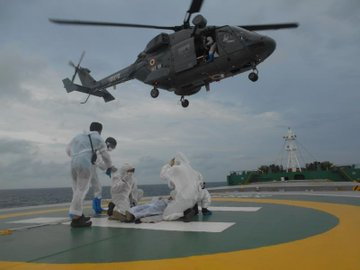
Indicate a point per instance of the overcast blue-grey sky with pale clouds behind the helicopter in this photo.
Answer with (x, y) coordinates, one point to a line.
(311, 83)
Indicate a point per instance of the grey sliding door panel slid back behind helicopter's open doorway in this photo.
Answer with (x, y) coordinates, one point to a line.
(184, 55)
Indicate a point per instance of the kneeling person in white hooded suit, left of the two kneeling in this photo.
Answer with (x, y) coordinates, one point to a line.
(124, 192)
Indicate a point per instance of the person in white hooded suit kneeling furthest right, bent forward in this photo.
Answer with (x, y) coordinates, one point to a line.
(184, 181)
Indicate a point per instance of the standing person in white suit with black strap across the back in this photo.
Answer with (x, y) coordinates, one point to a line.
(82, 151)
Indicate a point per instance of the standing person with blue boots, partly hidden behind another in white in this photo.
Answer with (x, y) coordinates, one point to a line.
(95, 182)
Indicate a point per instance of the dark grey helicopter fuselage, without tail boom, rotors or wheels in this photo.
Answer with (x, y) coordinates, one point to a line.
(178, 62)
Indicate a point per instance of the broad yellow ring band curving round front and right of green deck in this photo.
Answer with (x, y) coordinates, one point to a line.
(335, 249)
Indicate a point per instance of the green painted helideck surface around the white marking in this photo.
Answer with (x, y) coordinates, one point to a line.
(273, 224)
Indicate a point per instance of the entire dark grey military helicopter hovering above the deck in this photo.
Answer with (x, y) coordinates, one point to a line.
(181, 62)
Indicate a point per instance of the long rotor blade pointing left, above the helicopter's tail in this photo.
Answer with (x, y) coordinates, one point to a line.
(94, 23)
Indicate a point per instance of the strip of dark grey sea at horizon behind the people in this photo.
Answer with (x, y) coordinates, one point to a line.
(11, 198)
